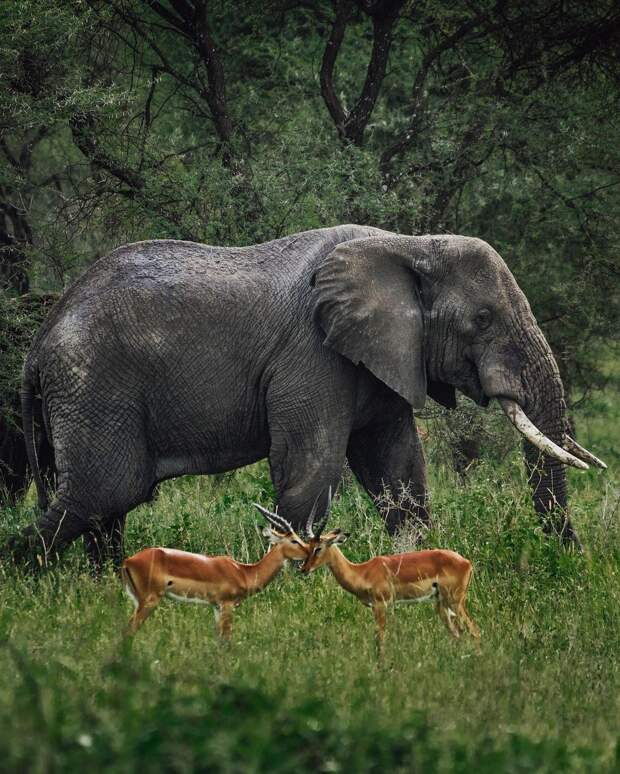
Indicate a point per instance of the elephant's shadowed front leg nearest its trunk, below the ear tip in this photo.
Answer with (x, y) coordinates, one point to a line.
(387, 459)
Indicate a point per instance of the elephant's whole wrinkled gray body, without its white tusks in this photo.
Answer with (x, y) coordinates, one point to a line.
(168, 358)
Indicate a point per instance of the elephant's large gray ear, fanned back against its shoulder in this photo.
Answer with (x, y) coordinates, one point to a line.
(368, 305)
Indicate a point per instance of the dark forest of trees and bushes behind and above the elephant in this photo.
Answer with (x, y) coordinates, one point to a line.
(238, 122)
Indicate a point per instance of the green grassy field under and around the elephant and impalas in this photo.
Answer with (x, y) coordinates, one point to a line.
(300, 689)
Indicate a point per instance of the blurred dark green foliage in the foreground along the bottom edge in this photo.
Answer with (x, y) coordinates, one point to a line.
(242, 728)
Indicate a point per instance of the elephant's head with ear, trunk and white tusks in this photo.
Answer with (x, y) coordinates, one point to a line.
(433, 313)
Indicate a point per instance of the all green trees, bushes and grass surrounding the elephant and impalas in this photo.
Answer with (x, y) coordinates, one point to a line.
(235, 123)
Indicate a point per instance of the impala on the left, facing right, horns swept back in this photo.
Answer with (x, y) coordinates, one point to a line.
(221, 581)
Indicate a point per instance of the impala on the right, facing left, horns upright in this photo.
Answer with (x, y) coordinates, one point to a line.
(417, 576)
